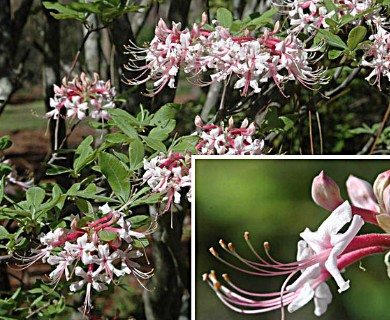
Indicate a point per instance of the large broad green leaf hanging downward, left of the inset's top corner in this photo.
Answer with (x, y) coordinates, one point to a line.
(117, 174)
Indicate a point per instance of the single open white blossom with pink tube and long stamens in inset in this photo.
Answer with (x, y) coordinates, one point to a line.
(322, 254)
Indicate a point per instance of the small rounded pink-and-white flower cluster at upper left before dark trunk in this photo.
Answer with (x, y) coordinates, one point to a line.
(81, 97)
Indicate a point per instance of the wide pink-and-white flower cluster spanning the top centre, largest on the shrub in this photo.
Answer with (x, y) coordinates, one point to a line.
(197, 51)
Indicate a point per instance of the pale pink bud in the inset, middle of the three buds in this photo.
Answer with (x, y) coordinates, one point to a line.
(361, 194)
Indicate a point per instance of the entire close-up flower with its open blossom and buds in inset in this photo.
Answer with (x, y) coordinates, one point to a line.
(321, 254)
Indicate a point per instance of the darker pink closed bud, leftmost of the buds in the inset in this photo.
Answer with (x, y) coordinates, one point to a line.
(325, 192)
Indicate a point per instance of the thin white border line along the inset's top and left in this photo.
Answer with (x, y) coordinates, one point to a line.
(261, 157)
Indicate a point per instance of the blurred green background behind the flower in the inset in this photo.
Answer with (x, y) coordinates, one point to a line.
(272, 200)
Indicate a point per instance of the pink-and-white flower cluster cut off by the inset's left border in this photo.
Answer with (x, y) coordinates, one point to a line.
(167, 175)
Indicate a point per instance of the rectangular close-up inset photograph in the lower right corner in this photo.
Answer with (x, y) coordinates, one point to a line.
(291, 239)
